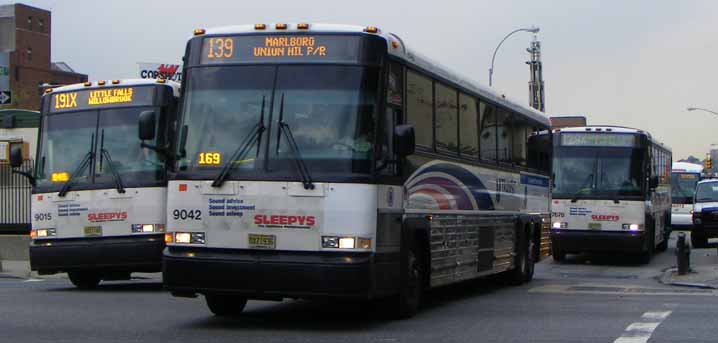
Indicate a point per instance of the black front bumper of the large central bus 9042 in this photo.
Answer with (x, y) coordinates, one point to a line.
(269, 275)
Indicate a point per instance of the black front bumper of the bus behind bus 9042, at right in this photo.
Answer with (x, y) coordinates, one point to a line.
(575, 241)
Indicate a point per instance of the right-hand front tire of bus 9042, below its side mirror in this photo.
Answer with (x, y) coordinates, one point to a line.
(412, 283)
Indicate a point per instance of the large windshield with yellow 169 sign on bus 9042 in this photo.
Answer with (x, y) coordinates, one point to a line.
(328, 111)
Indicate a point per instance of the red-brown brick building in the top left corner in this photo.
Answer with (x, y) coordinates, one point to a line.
(25, 36)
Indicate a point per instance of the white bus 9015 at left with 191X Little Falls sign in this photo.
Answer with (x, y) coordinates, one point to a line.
(99, 185)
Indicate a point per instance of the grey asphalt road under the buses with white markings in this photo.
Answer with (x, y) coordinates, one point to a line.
(585, 299)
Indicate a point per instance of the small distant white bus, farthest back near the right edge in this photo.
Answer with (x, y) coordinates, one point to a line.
(684, 178)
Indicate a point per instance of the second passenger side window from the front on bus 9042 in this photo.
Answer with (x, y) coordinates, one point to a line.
(447, 130)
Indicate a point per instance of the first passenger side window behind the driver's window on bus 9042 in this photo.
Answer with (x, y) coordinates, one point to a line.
(420, 107)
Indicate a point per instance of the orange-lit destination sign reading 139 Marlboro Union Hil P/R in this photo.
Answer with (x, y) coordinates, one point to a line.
(275, 48)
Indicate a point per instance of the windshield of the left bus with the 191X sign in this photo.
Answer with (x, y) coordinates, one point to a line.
(111, 134)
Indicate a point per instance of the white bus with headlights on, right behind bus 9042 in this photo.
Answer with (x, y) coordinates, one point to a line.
(611, 191)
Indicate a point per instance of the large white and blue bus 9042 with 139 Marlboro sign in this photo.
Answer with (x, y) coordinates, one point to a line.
(333, 161)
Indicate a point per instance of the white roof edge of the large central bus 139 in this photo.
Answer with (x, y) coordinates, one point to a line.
(398, 49)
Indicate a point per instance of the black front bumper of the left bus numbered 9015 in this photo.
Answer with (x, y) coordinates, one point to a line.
(112, 254)
